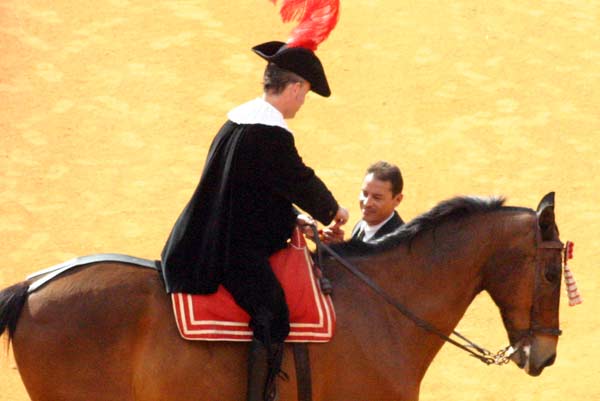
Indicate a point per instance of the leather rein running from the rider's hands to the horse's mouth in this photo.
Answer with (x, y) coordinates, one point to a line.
(484, 355)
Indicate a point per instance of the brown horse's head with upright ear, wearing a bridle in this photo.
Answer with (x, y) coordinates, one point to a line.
(527, 289)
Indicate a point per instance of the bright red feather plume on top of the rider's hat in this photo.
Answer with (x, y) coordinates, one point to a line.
(317, 19)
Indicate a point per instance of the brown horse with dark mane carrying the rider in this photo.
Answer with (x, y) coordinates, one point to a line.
(106, 331)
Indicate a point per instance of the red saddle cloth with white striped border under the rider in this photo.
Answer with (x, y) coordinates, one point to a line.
(216, 317)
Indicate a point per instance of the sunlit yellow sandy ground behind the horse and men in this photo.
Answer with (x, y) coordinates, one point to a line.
(107, 108)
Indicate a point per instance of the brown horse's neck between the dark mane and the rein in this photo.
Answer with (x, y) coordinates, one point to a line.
(440, 272)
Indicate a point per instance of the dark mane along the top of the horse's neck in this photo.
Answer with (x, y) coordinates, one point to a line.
(445, 211)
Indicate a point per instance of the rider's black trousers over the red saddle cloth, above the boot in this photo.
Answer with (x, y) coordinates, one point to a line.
(256, 289)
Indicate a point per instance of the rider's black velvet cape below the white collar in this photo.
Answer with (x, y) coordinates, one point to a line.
(241, 211)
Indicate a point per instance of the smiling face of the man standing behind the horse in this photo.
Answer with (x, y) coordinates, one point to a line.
(377, 202)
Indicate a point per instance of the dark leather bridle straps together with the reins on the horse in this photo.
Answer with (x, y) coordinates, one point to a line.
(499, 358)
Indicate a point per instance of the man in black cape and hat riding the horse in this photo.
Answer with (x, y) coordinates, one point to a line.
(242, 210)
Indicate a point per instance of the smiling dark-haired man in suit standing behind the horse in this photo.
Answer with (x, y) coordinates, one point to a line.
(380, 195)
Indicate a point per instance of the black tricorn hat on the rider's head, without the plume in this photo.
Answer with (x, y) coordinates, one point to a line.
(298, 60)
